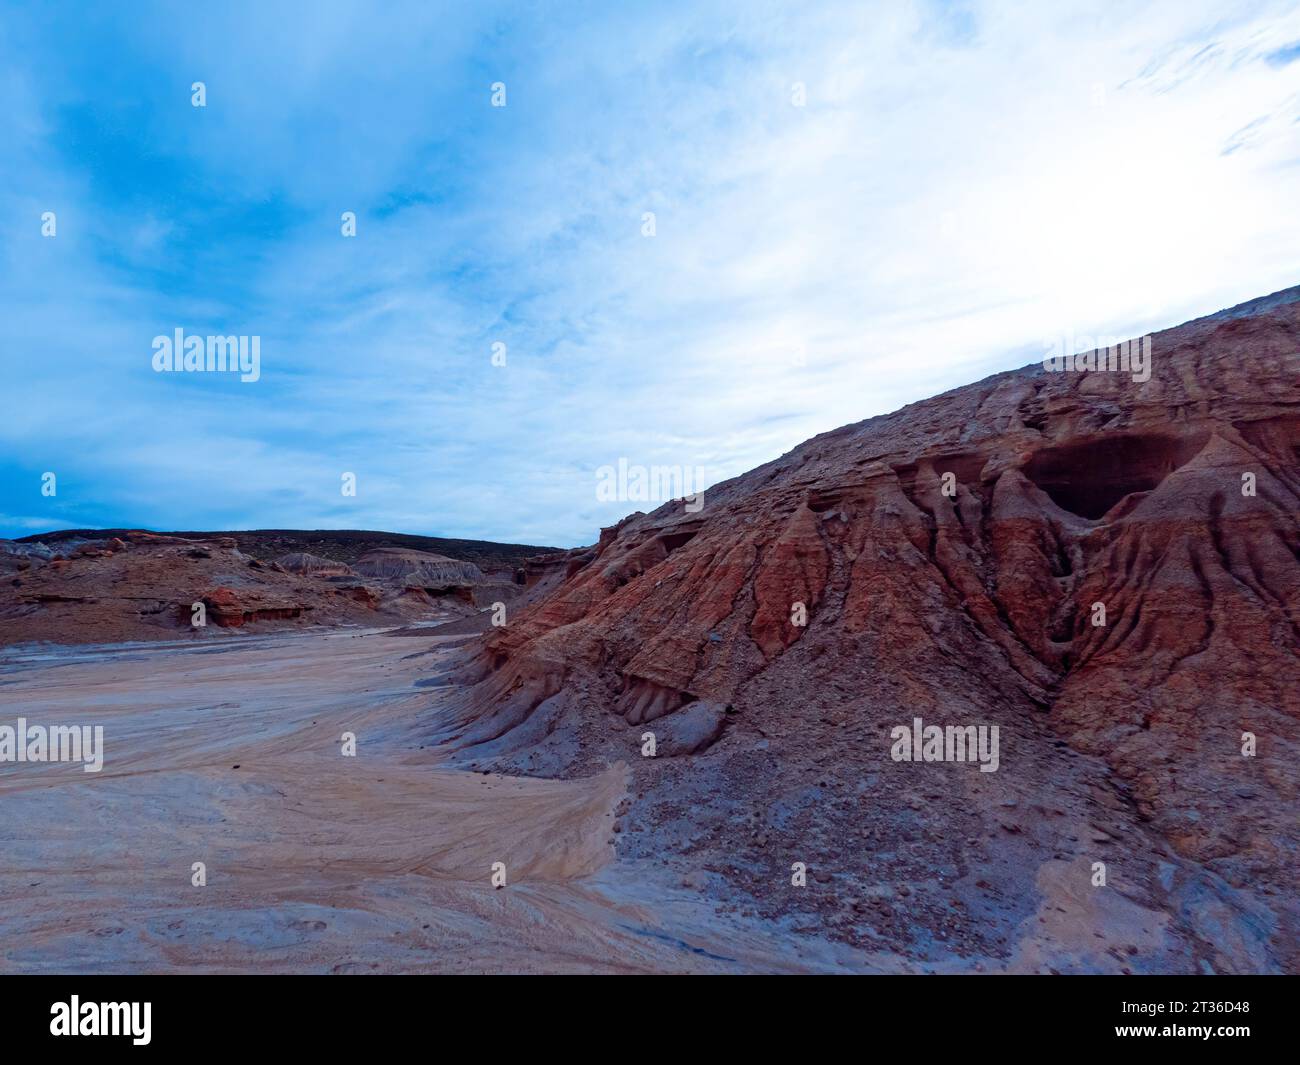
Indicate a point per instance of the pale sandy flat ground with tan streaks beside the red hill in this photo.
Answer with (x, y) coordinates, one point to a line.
(231, 756)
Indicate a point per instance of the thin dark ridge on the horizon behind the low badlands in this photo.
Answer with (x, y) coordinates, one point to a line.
(341, 546)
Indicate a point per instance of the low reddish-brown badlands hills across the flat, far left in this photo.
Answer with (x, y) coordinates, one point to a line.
(114, 586)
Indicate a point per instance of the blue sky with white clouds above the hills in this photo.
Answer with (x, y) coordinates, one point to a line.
(704, 233)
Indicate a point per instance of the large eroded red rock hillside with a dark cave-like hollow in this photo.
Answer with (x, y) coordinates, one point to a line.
(1103, 568)
